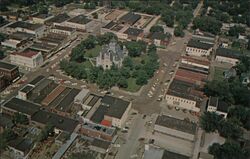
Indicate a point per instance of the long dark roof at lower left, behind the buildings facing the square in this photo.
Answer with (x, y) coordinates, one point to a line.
(60, 122)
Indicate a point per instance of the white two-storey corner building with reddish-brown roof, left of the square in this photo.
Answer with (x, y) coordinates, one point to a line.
(28, 59)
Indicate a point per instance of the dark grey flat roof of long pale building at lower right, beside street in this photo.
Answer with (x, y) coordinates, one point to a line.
(176, 124)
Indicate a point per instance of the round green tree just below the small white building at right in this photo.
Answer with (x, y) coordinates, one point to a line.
(210, 121)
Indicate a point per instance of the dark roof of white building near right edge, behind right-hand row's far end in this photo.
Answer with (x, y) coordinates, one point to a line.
(228, 53)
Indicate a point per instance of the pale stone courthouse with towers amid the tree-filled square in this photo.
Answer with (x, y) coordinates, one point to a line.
(111, 54)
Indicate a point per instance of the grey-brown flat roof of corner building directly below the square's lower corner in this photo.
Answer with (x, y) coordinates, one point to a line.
(116, 106)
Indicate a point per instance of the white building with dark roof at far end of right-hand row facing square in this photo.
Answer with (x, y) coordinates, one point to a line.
(196, 48)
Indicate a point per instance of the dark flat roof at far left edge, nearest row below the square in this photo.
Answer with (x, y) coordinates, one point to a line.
(22, 106)
